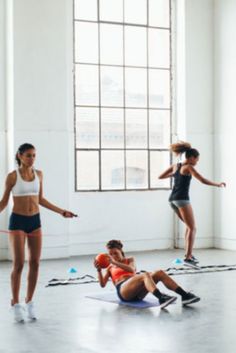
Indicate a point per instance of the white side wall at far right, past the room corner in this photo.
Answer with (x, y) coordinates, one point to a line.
(225, 122)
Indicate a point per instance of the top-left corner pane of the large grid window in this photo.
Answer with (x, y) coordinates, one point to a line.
(86, 9)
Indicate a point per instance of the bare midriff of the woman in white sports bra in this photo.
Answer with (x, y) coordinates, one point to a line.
(26, 205)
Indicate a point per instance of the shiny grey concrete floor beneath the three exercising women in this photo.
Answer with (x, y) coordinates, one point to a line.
(69, 323)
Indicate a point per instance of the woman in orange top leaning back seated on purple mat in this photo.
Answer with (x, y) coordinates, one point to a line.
(132, 286)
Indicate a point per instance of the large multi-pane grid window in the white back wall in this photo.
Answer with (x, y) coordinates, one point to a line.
(122, 52)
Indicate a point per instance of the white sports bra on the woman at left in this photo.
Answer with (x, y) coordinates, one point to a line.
(26, 188)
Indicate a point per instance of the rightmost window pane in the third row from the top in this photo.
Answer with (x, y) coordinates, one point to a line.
(159, 88)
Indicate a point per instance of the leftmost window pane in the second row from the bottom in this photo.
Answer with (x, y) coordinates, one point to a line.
(87, 128)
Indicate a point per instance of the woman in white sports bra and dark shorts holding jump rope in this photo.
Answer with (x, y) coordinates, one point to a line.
(26, 185)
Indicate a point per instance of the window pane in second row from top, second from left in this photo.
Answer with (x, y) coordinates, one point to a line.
(111, 44)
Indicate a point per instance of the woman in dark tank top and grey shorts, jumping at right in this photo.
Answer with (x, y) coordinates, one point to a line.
(179, 197)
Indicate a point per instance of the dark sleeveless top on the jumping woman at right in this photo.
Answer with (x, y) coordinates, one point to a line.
(181, 186)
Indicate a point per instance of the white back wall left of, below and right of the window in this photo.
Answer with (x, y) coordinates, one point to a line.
(43, 115)
